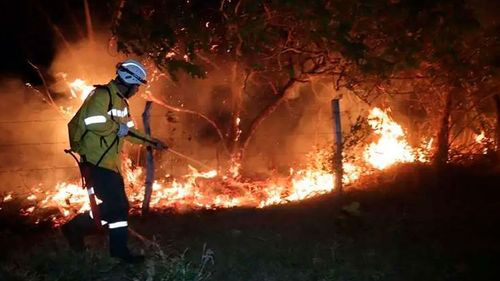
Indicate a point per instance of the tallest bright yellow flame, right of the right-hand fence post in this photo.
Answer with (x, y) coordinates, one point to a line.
(391, 147)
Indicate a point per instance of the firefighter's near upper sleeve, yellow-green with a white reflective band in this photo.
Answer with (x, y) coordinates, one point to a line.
(97, 119)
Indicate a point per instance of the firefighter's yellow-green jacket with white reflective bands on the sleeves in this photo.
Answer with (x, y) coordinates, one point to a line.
(102, 127)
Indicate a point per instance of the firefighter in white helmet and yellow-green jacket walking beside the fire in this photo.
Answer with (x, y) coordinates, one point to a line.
(105, 117)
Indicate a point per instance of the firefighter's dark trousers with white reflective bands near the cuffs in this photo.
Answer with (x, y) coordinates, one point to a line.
(109, 188)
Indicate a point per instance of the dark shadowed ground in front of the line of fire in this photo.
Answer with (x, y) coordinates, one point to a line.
(411, 223)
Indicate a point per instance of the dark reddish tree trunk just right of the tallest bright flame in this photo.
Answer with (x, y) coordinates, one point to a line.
(441, 156)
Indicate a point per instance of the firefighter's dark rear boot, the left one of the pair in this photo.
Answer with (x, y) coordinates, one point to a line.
(76, 229)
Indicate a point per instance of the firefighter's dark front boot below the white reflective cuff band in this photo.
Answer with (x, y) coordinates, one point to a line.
(118, 246)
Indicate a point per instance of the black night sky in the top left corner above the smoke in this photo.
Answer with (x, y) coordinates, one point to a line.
(28, 33)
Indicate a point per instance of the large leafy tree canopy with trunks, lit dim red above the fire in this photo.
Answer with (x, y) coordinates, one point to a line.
(276, 45)
